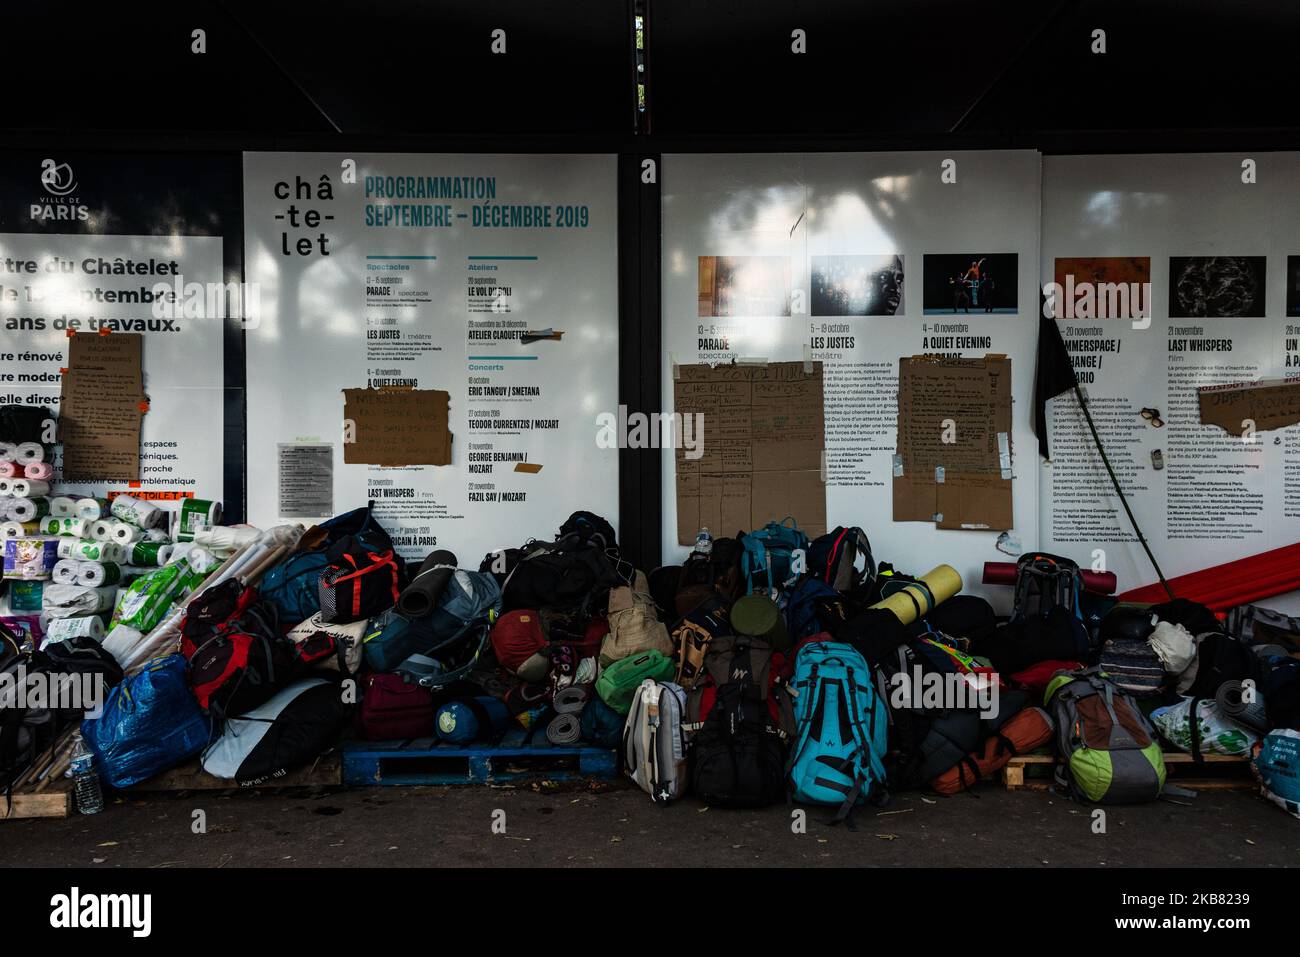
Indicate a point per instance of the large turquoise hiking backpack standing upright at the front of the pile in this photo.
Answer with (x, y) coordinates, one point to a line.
(840, 730)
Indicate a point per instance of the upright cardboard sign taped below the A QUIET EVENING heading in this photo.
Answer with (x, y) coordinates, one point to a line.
(954, 462)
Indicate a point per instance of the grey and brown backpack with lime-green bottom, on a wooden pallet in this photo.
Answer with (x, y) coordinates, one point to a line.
(1108, 747)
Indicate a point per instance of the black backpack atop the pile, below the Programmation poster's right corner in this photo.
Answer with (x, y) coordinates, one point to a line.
(571, 573)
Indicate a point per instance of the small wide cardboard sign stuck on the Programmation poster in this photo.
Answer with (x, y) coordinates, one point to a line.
(397, 427)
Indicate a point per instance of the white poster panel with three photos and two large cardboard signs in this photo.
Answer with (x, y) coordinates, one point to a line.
(864, 258)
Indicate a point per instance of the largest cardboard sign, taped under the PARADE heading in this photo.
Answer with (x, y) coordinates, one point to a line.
(760, 454)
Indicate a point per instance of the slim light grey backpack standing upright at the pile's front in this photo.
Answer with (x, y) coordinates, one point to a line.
(655, 742)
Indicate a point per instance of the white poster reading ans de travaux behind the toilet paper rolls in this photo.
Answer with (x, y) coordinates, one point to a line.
(161, 287)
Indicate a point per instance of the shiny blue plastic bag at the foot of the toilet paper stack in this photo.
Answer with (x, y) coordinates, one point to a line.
(150, 724)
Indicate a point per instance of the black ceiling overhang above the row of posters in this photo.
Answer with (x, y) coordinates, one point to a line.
(908, 71)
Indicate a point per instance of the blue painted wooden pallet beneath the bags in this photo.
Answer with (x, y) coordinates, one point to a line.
(430, 761)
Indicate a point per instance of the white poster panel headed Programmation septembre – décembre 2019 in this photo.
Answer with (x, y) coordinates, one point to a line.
(430, 272)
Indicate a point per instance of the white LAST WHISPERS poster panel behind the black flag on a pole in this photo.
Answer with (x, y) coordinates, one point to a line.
(1216, 240)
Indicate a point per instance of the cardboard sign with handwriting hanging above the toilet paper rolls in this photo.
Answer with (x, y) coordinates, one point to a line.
(102, 406)
